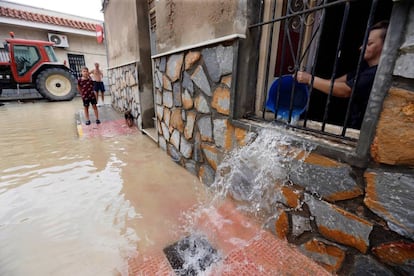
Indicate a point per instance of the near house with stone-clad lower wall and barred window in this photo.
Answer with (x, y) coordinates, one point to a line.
(197, 78)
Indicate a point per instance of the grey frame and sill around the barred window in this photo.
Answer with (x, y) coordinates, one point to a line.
(355, 153)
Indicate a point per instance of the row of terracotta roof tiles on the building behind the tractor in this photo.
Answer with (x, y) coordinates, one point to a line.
(41, 18)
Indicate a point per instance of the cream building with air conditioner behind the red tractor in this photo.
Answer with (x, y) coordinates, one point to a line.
(76, 40)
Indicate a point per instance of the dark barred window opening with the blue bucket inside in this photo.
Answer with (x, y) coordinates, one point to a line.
(321, 37)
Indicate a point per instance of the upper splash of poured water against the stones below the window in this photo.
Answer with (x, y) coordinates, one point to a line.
(253, 174)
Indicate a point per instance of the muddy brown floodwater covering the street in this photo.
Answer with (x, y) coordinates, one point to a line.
(71, 206)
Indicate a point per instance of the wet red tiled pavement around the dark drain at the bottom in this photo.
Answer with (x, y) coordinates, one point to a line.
(261, 254)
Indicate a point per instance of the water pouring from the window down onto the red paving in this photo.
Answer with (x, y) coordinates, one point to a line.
(252, 176)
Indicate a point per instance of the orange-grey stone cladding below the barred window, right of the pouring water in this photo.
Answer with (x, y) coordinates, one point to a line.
(349, 220)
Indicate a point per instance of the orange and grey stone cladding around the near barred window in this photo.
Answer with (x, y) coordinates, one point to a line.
(349, 220)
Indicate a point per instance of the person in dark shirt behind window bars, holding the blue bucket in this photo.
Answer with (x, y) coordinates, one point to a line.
(343, 85)
